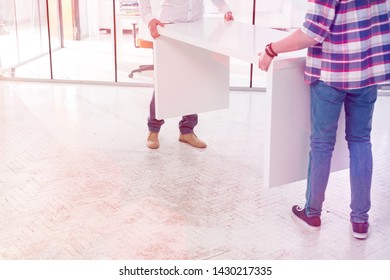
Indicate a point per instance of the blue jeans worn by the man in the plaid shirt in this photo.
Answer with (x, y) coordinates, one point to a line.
(326, 104)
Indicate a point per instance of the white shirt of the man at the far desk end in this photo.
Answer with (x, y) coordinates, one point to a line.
(176, 11)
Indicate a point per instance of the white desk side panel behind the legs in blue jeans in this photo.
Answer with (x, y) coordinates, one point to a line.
(287, 135)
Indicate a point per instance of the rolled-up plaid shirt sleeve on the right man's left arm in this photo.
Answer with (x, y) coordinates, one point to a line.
(319, 17)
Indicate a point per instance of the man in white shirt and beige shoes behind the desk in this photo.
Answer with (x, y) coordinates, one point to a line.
(176, 11)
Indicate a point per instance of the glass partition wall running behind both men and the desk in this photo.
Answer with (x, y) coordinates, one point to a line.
(94, 40)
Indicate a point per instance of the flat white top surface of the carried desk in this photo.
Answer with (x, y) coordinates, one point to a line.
(220, 36)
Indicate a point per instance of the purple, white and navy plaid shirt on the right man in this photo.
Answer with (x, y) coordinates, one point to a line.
(354, 42)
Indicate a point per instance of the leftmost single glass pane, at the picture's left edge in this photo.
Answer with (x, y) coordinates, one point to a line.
(24, 39)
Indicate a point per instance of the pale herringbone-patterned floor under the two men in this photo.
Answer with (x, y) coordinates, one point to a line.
(77, 182)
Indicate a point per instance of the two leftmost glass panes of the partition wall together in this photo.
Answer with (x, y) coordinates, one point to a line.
(57, 39)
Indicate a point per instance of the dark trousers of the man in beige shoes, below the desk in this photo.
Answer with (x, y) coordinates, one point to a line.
(186, 125)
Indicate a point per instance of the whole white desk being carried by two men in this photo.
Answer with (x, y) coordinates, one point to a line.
(192, 76)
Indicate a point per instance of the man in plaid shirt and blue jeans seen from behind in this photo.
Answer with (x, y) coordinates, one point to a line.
(348, 56)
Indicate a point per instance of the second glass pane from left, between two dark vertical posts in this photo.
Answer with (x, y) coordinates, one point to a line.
(87, 43)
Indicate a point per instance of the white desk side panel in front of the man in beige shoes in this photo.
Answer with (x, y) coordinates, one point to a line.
(189, 79)
